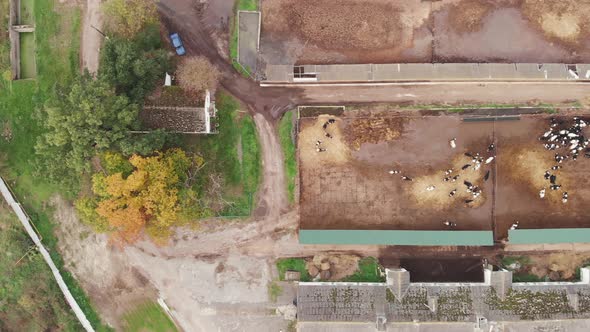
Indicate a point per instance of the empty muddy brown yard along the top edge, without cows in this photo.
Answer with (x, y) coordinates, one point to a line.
(382, 31)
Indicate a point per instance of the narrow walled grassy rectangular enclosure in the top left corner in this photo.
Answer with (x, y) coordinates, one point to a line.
(22, 42)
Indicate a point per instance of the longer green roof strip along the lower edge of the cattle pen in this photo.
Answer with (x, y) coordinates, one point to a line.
(397, 237)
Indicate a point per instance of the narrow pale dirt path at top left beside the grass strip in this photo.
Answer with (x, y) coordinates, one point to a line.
(91, 39)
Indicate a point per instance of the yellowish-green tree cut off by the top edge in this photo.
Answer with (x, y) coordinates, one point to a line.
(127, 17)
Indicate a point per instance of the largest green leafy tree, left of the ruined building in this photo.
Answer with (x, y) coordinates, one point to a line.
(86, 120)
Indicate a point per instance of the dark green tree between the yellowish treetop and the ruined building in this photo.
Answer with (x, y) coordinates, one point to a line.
(134, 66)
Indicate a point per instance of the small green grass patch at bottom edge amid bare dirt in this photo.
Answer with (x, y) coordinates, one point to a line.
(148, 317)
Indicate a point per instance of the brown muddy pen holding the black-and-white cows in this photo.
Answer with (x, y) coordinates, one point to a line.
(359, 176)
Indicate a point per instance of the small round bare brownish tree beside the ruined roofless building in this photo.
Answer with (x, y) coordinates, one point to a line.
(196, 74)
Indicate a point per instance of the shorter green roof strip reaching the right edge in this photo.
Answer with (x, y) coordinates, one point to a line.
(549, 236)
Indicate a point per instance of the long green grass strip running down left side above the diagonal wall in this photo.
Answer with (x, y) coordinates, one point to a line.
(57, 41)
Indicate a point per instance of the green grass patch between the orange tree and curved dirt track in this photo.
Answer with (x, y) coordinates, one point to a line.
(220, 151)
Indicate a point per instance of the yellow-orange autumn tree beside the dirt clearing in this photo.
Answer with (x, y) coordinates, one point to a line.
(148, 198)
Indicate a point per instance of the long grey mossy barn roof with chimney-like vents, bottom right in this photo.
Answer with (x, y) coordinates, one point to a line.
(399, 300)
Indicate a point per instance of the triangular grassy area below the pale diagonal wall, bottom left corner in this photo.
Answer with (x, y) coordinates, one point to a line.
(26, 305)
